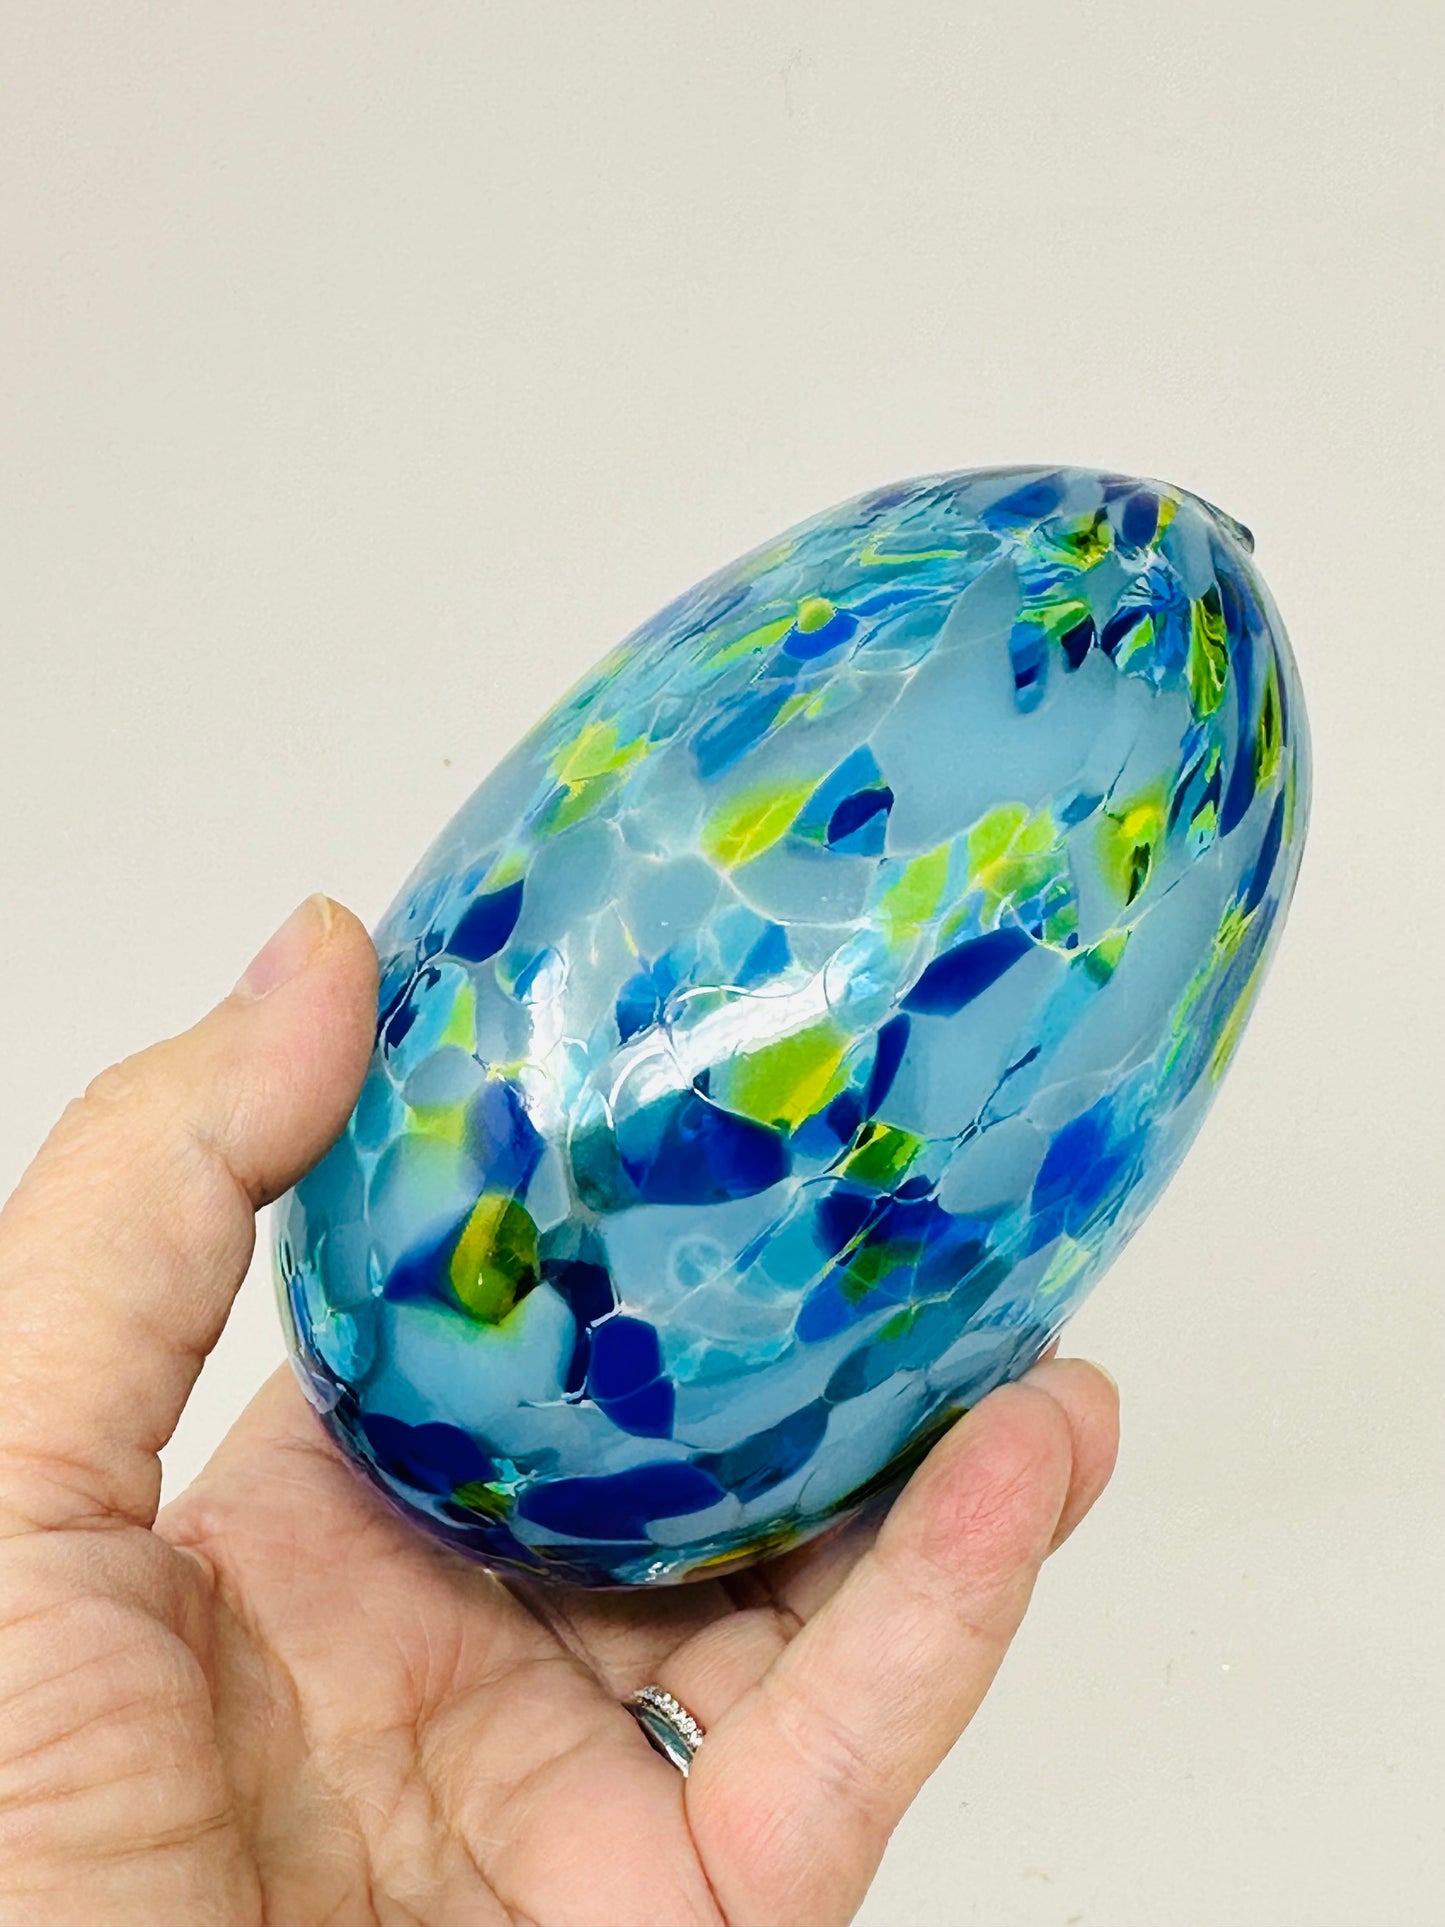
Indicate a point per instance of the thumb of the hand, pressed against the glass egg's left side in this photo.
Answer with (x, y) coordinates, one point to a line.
(128, 1238)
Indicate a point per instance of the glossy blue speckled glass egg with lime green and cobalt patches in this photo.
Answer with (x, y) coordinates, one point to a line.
(779, 1043)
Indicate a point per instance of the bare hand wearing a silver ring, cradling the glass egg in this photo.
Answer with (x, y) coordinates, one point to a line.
(276, 1703)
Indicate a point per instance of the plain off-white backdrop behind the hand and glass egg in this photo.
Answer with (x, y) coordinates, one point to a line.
(369, 369)
